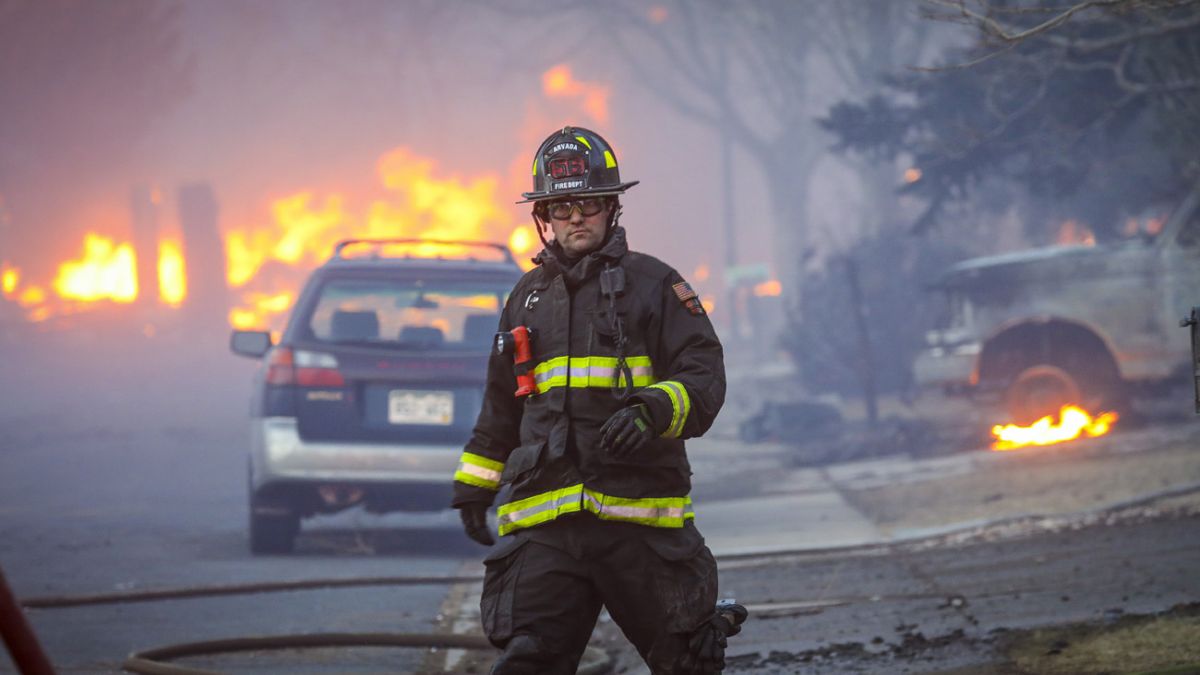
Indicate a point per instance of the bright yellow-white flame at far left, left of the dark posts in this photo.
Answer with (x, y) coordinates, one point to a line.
(106, 272)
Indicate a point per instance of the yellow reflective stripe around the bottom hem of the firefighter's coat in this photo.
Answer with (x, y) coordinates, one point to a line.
(655, 512)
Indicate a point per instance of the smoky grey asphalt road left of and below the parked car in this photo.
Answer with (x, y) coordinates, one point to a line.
(122, 475)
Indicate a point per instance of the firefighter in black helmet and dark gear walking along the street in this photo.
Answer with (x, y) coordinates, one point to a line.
(591, 465)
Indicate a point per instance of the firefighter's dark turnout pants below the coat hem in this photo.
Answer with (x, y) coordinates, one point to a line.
(545, 587)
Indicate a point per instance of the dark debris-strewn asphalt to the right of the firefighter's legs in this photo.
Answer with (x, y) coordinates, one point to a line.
(929, 608)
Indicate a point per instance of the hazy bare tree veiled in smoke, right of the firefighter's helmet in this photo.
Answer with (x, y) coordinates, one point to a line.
(760, 74)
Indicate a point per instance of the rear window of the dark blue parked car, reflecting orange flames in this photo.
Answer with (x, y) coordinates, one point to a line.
(409, 315)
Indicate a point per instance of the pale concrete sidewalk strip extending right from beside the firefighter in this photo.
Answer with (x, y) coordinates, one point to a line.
(758, 504)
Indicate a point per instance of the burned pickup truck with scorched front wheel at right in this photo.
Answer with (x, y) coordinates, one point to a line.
(1090, 326)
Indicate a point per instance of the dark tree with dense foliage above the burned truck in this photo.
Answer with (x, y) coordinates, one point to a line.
(1091, 111)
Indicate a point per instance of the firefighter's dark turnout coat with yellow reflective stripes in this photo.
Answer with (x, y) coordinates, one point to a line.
(547, 446)
